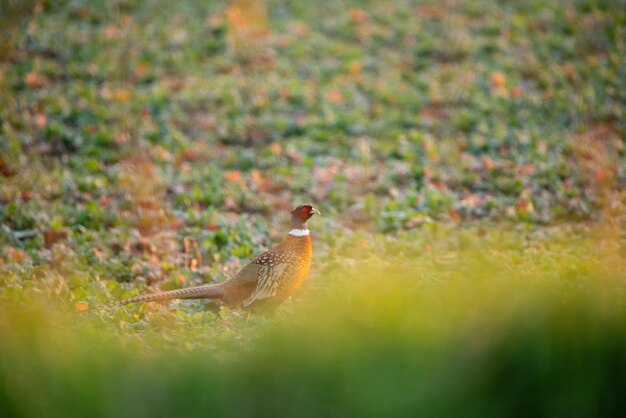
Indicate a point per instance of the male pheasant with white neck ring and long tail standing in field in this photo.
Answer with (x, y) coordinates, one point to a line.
(270, 278)
